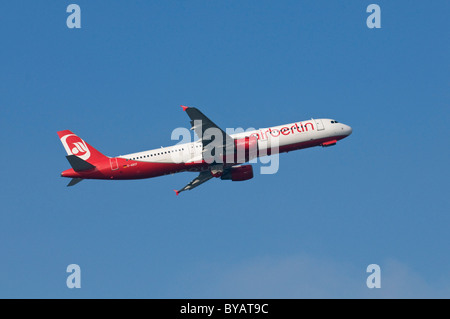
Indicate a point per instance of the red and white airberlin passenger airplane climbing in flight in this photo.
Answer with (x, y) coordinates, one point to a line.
(215, 153)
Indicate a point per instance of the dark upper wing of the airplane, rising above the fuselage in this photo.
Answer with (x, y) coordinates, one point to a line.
(205, 129)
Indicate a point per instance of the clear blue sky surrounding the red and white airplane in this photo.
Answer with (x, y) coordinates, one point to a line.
(380, 196)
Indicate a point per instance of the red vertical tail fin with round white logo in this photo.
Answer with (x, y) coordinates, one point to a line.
(76, 146)
